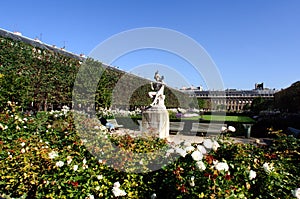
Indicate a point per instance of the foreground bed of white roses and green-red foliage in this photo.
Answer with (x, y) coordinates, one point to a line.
(46, 156)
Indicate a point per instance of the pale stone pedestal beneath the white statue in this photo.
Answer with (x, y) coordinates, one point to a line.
(156, 120)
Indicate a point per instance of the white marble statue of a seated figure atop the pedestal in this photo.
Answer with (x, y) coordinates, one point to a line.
(158, 94)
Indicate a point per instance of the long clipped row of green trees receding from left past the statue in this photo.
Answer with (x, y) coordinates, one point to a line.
(40, 79)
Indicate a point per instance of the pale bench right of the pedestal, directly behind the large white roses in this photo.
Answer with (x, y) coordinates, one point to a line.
(207, 129)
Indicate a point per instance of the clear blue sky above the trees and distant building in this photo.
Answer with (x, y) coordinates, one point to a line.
(250, 41)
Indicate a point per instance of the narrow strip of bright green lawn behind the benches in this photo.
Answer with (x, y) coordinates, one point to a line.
(242, 119)
